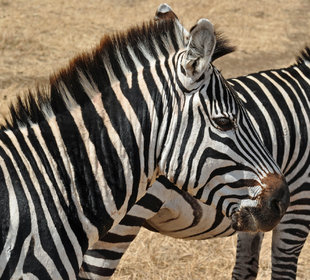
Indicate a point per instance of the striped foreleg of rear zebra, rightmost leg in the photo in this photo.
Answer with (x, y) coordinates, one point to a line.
(287, 242)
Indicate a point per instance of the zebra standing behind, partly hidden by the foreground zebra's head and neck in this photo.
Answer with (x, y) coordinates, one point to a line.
(278, 104)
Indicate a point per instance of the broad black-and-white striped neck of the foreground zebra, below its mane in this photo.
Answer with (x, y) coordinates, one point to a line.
(97, 154)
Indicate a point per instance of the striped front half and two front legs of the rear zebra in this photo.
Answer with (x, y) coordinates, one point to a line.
(282, 118)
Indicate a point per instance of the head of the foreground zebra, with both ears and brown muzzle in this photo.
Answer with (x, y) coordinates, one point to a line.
(215, 154)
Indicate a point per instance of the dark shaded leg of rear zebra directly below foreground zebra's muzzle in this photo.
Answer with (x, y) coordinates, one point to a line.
(248, 248)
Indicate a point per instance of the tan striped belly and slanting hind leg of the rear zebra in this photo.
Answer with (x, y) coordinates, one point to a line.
(173, 212)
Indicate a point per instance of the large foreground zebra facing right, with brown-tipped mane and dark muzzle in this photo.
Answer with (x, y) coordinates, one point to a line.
(80, 152)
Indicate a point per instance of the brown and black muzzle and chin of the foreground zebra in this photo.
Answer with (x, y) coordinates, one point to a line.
(271, 206)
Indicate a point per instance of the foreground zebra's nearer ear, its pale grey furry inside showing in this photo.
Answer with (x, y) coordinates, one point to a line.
(200, 49)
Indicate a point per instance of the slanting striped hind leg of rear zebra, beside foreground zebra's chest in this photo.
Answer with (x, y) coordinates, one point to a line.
(101, 260)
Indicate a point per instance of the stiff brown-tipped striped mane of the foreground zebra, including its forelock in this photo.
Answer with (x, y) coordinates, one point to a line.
(31, 107)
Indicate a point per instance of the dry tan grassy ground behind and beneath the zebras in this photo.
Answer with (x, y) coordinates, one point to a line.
(39, 36)
